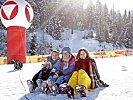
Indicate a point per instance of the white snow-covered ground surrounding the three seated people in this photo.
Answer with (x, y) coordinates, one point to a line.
(117, 72)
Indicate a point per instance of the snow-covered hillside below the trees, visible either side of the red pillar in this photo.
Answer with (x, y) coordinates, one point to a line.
(75, 41)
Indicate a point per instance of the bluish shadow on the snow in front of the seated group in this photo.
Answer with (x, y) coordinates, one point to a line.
(91, 95)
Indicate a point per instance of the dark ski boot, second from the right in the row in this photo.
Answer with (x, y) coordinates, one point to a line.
(67, 89)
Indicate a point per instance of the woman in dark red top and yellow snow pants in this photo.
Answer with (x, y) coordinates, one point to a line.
(82, 77)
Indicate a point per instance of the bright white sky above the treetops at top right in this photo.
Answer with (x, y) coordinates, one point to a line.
(118, 4)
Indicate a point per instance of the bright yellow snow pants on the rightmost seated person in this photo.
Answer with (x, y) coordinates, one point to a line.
(80, 78)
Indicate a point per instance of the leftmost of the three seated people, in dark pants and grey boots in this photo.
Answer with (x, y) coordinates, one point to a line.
(43, 74)
